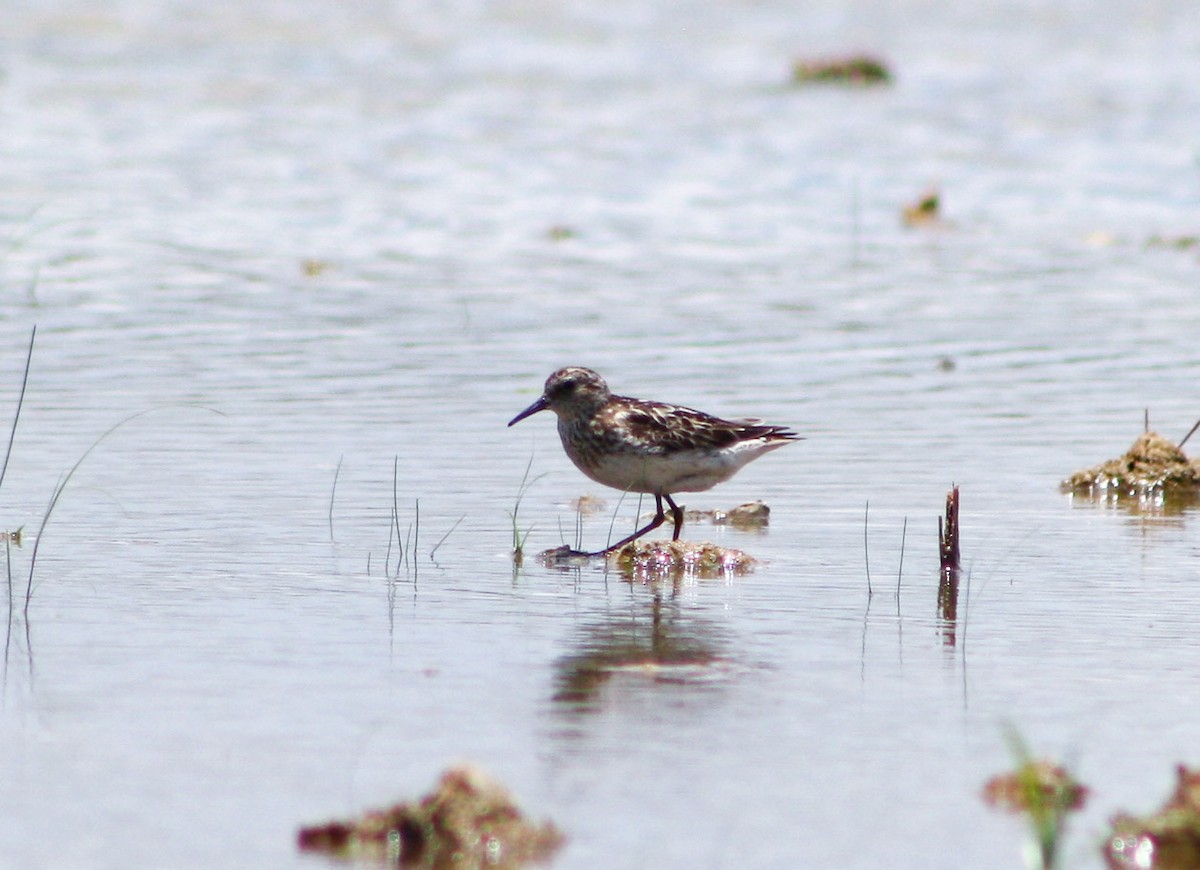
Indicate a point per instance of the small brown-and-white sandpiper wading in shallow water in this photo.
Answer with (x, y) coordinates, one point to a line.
(635, 446)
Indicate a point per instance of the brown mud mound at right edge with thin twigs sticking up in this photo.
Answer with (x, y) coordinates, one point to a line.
(1153, 465)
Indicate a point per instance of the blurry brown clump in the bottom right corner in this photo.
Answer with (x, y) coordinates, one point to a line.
(1166, 841)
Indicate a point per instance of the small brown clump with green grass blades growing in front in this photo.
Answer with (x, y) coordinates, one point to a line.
(1046, 794)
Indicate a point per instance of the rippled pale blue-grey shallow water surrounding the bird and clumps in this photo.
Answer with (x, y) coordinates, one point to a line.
(323, 248)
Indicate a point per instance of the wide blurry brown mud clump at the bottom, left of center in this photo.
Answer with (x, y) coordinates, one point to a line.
(470, 821)
